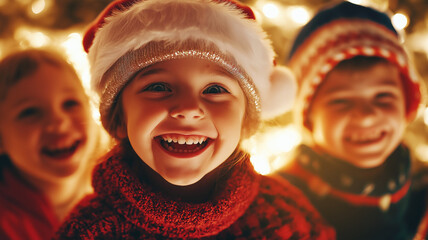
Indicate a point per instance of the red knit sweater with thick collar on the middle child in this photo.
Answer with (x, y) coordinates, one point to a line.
(249, 206)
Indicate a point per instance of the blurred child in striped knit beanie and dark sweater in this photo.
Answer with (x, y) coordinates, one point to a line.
(357, 93)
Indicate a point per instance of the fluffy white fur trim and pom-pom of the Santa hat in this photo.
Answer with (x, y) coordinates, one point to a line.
(176, 21)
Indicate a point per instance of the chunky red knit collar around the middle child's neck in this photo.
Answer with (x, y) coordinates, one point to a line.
(115, 182)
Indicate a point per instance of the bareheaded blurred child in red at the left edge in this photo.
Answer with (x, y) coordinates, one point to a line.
(48, 143)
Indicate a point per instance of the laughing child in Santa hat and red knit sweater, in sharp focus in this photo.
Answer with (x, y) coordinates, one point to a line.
(181, 82)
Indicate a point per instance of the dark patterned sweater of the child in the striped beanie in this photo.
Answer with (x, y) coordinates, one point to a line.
(359, 203)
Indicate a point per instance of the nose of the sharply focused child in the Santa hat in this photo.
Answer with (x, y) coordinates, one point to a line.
(187, 107)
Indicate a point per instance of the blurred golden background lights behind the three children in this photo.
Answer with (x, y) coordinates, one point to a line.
(36, 23)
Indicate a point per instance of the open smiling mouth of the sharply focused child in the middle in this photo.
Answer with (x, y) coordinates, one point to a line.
(182, 144)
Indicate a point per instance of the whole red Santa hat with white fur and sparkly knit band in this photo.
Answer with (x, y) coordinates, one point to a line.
(130, 35)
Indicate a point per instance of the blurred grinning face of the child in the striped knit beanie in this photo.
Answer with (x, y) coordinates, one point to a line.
(359, 116)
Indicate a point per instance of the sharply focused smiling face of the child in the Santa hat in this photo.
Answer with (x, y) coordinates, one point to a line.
(183, 117)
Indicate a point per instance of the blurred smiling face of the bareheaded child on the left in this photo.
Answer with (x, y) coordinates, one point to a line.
(46, 123)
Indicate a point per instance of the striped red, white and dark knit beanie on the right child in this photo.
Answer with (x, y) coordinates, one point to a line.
(342, 32)
